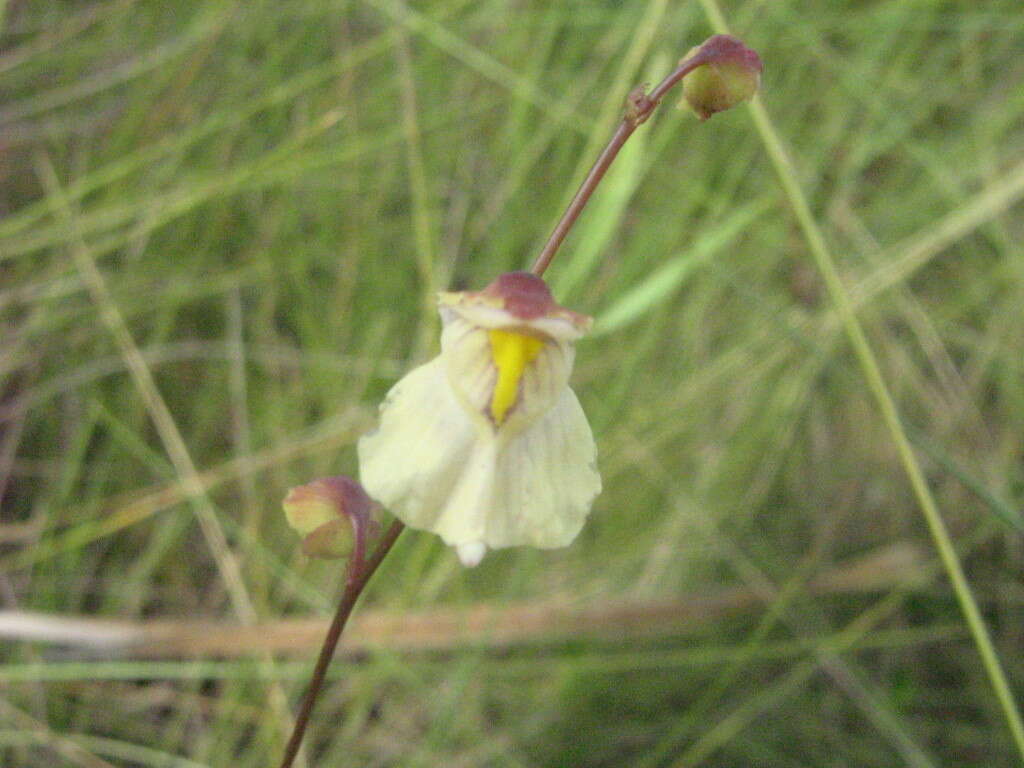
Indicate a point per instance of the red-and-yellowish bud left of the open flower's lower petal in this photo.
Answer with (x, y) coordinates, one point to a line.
(327, 514)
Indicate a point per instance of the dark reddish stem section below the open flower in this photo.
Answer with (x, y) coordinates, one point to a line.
(360, 573)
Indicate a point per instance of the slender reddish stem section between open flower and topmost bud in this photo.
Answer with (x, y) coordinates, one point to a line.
(639, 108)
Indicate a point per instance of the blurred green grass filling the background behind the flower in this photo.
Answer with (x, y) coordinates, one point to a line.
(272, 194)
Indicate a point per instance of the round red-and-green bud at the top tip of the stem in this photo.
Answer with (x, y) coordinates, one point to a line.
(732, 74)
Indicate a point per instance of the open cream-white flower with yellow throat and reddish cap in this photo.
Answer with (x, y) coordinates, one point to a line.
(487, 446)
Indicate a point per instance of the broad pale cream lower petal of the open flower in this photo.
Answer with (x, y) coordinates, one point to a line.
(437, 471)
